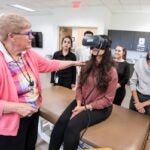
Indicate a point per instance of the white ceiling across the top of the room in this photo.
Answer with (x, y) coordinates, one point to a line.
(45, 6)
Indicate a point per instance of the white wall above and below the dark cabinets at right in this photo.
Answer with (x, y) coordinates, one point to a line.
(131, 22)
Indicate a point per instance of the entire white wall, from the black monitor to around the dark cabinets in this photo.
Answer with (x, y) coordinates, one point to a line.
(98, 17)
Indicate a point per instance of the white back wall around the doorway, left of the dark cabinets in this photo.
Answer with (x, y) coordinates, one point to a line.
(48, 24)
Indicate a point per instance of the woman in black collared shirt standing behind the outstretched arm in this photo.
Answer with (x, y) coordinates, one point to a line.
(66, 77)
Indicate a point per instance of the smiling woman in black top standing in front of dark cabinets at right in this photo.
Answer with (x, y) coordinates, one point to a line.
(123, 70)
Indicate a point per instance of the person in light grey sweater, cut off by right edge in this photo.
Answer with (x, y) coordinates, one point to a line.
(140, 86)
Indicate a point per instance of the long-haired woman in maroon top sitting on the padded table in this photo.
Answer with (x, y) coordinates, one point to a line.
(94, 97)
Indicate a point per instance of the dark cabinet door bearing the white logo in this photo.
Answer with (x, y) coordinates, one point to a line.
(140, 41)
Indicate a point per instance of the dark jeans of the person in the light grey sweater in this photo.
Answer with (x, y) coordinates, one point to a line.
(142, 98)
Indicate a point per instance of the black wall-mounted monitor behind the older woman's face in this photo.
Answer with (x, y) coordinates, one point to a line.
(37, 41)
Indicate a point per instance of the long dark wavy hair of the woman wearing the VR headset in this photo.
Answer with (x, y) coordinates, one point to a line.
(101, 70)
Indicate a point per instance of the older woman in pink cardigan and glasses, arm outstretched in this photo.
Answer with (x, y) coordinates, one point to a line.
(20, 88)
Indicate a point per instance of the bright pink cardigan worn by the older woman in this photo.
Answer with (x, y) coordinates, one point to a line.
(9, 123)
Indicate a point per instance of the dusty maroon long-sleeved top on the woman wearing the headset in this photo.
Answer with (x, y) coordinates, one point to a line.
(98, 99)
